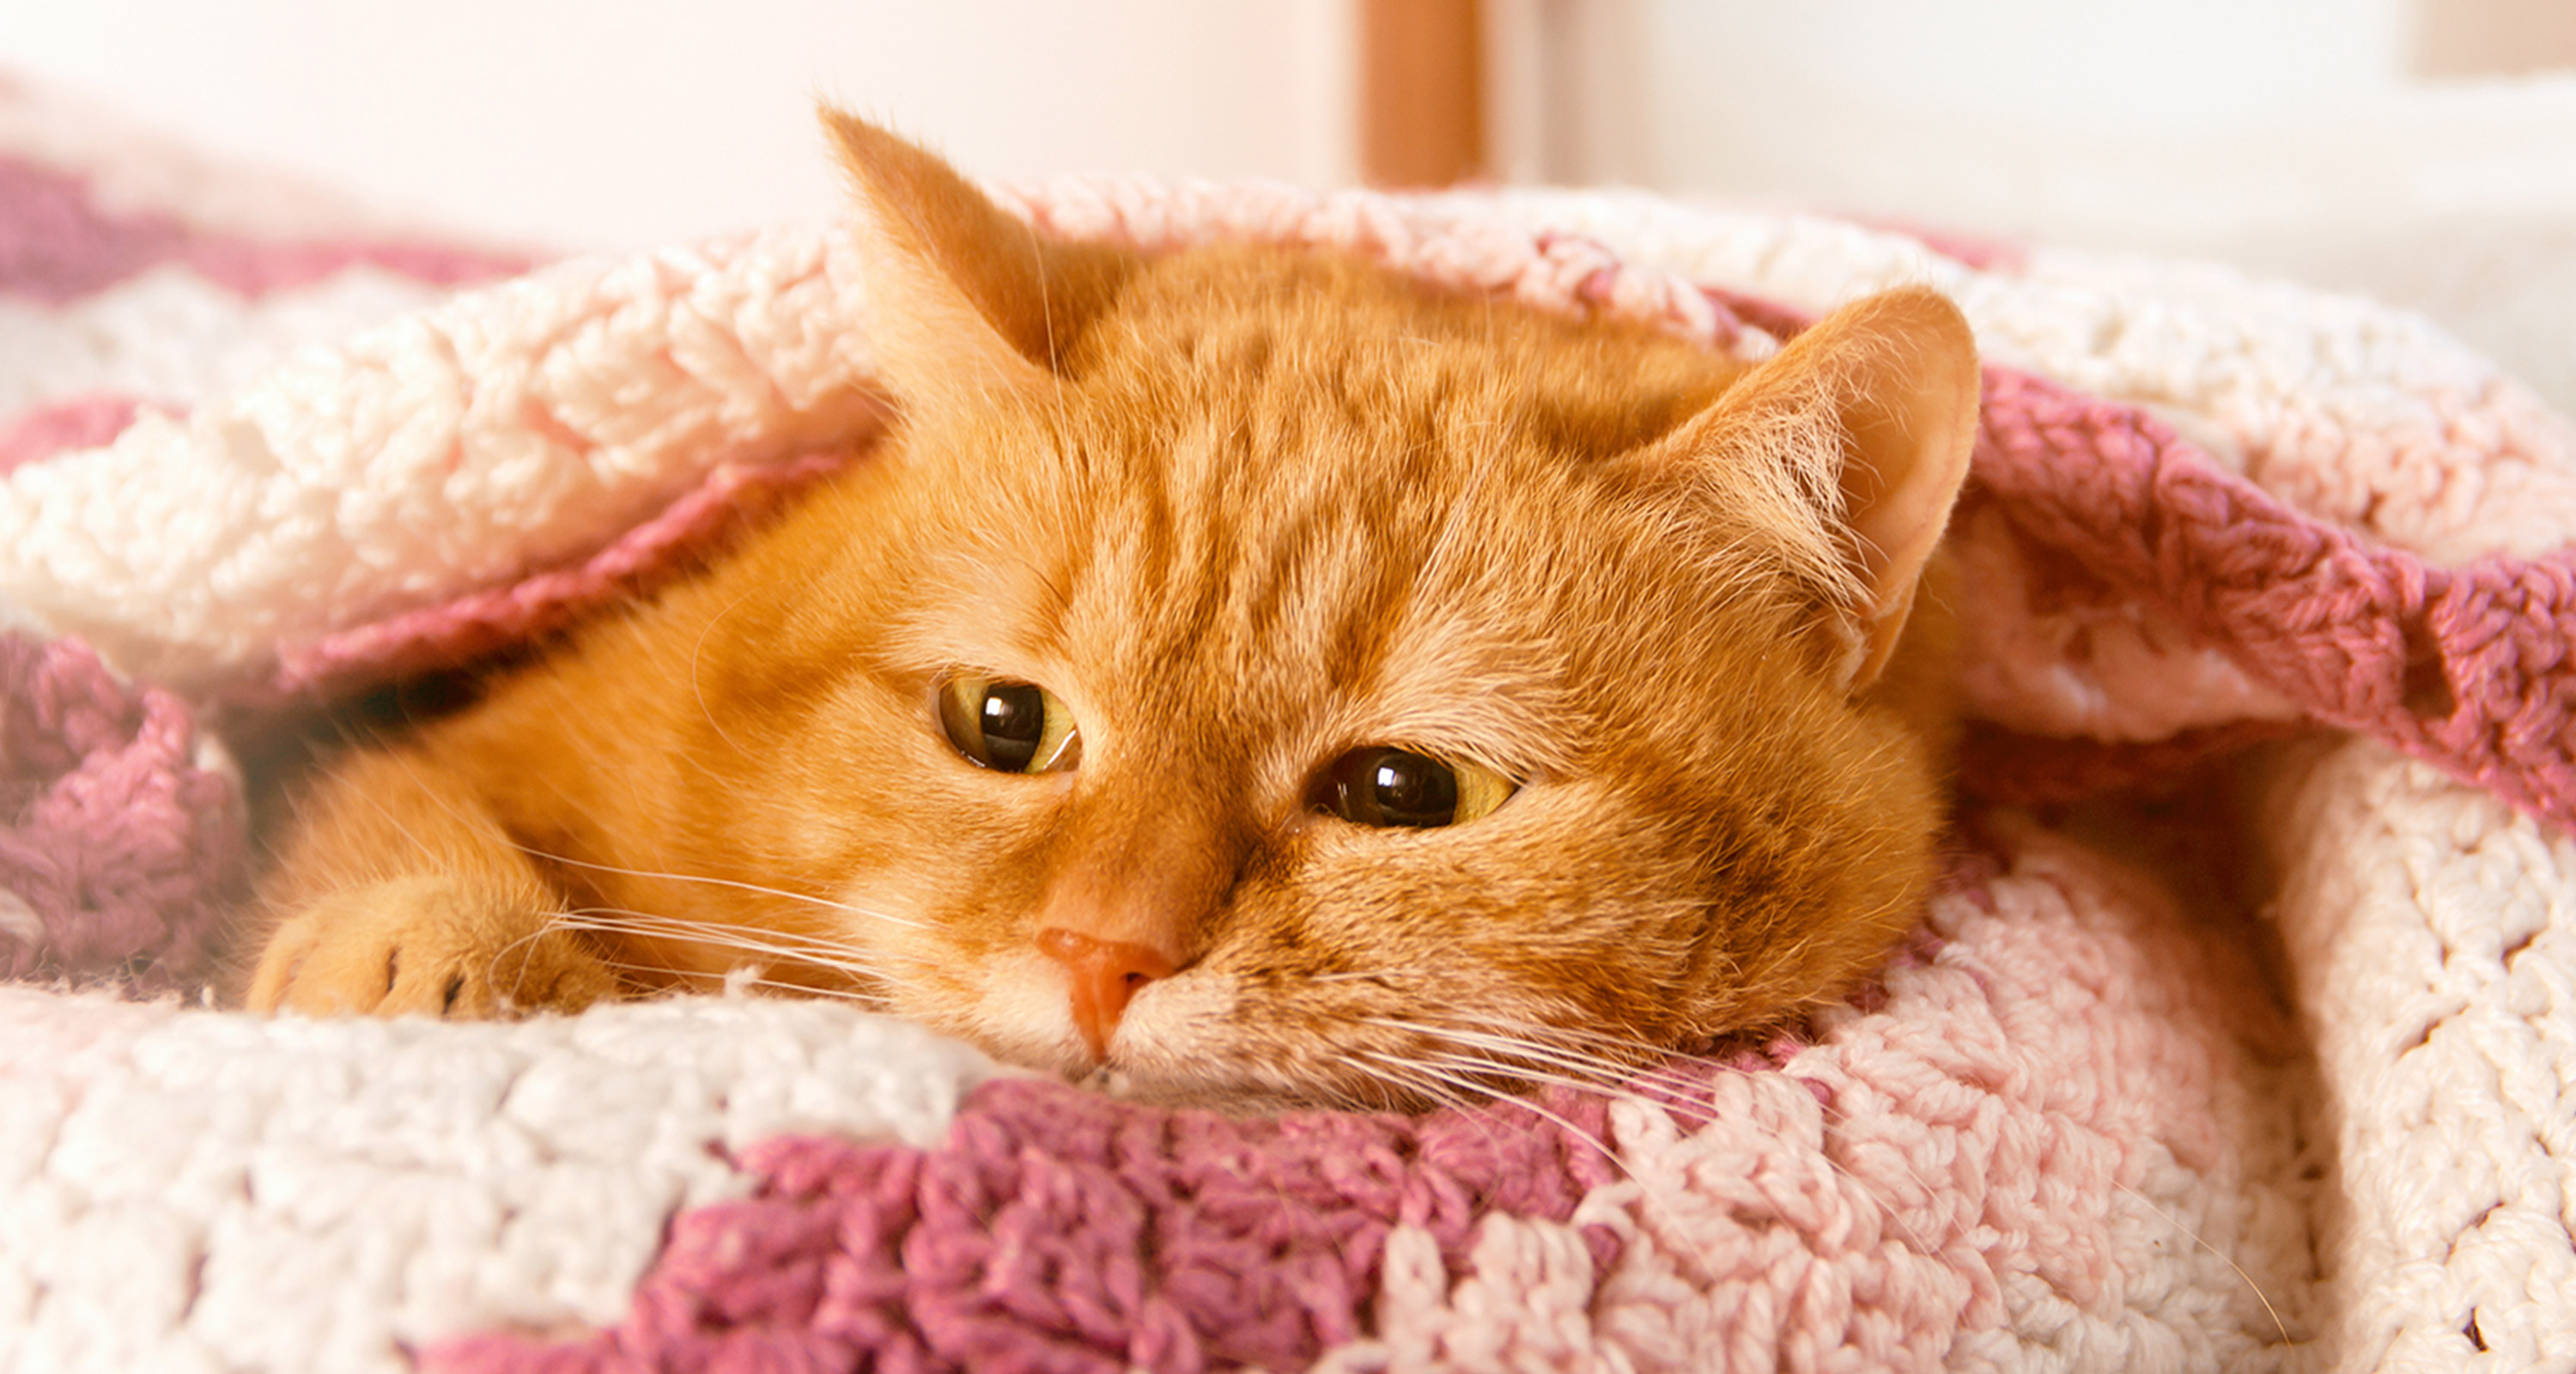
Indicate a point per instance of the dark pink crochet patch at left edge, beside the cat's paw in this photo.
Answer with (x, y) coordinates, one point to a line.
(112, 839)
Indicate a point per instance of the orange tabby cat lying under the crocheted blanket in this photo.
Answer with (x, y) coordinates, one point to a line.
(1245, 672)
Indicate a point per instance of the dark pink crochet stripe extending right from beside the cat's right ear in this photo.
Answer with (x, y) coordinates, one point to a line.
(2464, 669)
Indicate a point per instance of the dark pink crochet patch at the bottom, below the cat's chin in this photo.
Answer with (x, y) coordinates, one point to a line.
(1070, 1234)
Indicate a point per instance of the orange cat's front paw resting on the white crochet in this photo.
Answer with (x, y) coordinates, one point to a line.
(426, 945)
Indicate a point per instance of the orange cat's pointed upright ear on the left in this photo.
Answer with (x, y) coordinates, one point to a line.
(965, 303)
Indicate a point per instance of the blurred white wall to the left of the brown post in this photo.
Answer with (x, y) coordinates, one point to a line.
(635, 122)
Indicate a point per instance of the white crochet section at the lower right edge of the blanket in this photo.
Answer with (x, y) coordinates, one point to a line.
(2433, 947)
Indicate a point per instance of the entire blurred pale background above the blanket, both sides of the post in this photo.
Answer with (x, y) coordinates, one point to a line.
(2423, 151)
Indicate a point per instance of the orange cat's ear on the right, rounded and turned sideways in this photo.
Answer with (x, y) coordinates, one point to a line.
(1853, 445)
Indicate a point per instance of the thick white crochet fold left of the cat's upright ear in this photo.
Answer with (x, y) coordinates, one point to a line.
(439, 452)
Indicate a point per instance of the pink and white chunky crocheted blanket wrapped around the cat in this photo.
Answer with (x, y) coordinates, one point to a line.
(2266, 1066)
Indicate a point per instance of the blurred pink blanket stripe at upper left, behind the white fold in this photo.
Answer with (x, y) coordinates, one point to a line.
(61, 246)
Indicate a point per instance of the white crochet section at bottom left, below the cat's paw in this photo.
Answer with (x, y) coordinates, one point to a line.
(187, 1190)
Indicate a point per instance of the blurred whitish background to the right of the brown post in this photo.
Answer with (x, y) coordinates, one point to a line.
(2415, 151)
